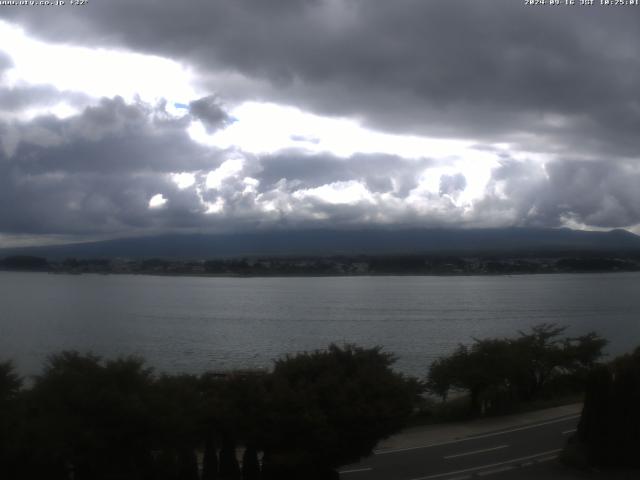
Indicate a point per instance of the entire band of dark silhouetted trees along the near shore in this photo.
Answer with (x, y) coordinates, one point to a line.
(85, 418)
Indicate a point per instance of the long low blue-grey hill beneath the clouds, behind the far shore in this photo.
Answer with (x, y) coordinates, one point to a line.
(335, 242)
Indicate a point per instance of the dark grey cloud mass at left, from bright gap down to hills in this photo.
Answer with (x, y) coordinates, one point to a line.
(96, 172)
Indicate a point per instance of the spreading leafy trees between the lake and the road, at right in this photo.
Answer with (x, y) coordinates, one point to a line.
(498, 373)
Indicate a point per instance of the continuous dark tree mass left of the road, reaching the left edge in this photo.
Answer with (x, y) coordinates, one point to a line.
(91, 419)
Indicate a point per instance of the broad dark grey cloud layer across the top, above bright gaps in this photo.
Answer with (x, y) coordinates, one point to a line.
(458, 68)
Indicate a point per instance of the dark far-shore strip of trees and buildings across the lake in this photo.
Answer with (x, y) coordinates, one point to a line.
(494, 264)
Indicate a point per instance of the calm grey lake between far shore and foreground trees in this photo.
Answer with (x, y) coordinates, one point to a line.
(191, 324)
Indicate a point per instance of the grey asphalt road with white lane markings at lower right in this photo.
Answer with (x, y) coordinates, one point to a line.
(496, 453)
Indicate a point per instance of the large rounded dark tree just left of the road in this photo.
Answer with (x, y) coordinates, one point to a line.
(329, 408)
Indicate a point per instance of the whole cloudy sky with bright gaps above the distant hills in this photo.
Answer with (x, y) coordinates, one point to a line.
(122, 118)
